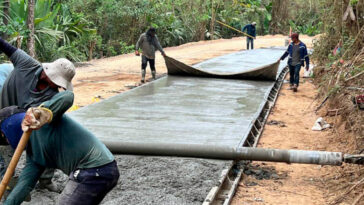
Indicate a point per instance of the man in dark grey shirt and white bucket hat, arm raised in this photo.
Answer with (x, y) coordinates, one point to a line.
(31, 83)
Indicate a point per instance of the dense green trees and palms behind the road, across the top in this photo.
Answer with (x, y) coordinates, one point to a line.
(81, 30)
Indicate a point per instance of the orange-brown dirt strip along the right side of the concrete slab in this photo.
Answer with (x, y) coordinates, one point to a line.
(293, 119)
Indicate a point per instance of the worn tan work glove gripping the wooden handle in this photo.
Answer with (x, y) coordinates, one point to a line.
(35, 118)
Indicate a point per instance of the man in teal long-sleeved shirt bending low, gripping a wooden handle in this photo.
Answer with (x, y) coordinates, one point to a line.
(57, 141)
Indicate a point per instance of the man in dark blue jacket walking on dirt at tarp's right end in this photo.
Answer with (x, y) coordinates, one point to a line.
(298, 55)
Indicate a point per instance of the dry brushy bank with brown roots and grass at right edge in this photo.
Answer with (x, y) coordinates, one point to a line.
(340, 75)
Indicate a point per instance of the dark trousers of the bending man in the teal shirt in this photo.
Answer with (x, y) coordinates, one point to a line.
(90, 186)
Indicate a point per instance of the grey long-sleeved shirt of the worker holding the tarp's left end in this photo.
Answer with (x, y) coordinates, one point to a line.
(148, 49)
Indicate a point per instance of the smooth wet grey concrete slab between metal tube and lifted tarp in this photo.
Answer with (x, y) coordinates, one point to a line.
(180, 110)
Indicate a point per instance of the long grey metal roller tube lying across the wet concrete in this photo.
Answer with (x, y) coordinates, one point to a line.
(219, 152)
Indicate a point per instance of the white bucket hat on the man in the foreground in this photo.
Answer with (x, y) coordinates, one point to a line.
(60, 72)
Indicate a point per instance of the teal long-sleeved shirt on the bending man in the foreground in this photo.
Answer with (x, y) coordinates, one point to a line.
(62, 144)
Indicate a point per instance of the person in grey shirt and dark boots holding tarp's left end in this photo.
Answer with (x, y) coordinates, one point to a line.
(149, 43)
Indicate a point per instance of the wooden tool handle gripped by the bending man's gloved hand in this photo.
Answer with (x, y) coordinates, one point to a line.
(14, 161)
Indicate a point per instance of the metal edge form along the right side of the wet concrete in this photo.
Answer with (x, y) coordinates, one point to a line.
(218, 194)
